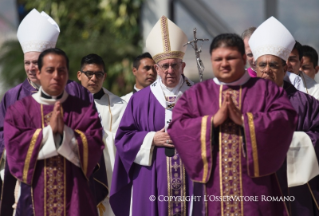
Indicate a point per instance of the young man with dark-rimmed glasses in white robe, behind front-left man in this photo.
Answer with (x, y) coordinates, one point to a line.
(110, 108)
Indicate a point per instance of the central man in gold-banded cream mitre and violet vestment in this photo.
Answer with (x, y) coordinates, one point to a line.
(146, 162)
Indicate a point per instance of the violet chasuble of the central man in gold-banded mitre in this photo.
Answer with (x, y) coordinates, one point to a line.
(152, 184)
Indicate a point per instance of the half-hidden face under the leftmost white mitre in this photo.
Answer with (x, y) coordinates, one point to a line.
(31, 66)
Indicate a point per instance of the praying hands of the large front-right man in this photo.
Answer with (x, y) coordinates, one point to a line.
(228, 110)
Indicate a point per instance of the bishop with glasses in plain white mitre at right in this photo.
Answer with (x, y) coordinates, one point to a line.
(298, 176)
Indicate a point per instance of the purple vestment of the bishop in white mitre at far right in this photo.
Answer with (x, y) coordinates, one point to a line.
(306, 196)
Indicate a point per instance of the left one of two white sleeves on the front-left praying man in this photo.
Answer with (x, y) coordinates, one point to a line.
(48, 144)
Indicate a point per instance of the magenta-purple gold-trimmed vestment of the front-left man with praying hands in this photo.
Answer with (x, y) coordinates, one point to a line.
(58, 186)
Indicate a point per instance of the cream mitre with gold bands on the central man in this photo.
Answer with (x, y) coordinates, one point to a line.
(166, 41)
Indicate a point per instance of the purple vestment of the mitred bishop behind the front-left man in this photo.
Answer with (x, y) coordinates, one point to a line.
(18, 92)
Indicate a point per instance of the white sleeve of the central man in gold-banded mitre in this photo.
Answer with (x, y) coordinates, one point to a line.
(144, 155)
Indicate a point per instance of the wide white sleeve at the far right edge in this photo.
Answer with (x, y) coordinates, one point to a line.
(301, 154)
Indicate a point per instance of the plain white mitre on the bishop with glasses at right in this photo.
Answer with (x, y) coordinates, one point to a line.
(273, 38)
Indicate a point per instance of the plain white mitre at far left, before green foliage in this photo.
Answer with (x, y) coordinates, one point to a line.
(37, 32)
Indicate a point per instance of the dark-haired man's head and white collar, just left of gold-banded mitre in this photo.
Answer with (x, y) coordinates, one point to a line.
(144, 72)
